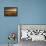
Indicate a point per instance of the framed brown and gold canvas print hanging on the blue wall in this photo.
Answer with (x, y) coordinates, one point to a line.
(10, 11)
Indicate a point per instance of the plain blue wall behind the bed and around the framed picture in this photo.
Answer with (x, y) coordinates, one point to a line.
(29, 12)
